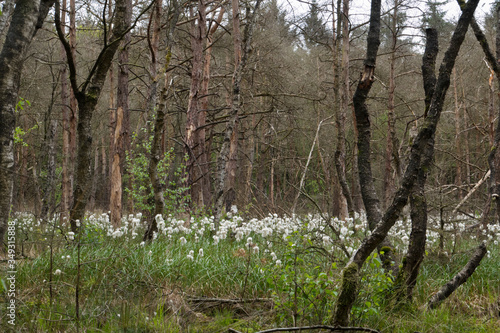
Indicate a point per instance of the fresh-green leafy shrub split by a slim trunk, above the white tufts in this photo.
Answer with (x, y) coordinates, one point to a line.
(172, 177)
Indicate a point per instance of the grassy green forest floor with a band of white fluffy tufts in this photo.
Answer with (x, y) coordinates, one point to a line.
(250, 275)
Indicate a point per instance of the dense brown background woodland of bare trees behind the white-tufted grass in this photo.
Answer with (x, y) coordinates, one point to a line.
(287, 96)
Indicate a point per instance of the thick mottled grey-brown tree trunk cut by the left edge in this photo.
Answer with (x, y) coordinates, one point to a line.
(27, 18)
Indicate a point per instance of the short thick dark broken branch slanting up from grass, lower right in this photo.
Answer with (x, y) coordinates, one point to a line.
(459, 279)
